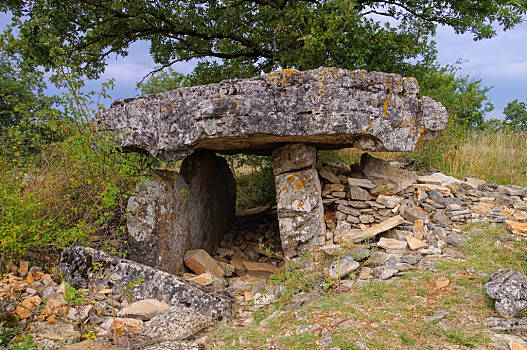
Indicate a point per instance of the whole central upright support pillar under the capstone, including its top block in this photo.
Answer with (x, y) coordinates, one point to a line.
(298, 198)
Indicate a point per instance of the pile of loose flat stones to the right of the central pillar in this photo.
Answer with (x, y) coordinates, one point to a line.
(383, 216)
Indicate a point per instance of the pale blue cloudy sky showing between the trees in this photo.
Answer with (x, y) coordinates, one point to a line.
(500, 62)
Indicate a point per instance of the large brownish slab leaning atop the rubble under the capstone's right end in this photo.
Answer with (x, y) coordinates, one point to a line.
(389, 179)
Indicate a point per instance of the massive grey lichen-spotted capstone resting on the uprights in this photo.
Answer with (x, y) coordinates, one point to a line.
(328, 107)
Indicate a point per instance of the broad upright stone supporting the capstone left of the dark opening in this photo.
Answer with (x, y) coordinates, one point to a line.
(173, 213)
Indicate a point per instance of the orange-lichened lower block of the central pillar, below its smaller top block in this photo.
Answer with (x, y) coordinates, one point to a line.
(300, 209)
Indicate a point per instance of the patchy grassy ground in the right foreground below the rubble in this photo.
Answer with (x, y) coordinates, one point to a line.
(396, 314)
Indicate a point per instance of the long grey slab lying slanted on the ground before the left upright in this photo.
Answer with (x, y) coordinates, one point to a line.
(83, 267)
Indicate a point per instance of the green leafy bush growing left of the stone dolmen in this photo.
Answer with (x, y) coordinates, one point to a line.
(72, 190)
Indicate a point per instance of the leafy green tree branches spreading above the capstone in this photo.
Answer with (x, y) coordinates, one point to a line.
(241, 38)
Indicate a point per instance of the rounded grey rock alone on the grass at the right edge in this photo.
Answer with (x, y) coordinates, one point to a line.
(509, 288)
